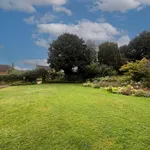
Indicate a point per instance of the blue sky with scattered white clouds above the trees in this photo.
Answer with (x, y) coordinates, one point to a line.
(28, 26)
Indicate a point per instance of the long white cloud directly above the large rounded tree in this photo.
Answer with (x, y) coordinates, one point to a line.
(86, 29)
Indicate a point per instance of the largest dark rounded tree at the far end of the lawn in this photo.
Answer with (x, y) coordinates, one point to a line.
(69, 52)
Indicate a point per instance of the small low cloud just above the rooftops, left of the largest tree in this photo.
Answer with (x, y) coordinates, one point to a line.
(35, 62)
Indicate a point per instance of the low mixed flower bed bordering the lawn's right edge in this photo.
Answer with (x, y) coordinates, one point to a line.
(119, 85)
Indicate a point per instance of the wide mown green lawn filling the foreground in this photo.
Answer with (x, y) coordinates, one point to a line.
(72, 117)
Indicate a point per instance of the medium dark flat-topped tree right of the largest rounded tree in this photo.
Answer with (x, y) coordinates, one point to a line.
(109, 54)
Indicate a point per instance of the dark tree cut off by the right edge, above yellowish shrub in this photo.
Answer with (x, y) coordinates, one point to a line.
(139, 47)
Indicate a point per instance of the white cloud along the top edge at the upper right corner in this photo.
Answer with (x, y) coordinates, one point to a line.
(120, 5)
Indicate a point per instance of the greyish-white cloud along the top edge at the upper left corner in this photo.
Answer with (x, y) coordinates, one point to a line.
(28, 5)
